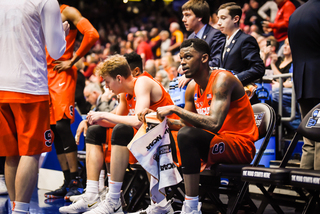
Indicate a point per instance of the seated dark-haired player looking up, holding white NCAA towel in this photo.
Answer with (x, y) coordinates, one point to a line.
(217, 123)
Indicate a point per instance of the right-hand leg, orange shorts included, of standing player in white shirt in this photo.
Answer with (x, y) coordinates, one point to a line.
(34, 138)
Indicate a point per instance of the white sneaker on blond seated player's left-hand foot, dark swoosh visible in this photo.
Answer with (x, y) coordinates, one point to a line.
(80, 206)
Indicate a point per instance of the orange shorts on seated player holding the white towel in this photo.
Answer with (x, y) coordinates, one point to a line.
(229, 148)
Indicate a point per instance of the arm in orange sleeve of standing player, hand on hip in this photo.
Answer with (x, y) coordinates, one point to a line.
(90, 36)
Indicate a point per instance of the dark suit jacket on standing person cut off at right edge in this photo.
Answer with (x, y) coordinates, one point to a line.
(304, 39)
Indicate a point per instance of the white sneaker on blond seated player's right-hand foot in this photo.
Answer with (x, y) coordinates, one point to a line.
(107, 206)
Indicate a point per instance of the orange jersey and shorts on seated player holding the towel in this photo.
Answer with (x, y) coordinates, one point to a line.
(234, 142)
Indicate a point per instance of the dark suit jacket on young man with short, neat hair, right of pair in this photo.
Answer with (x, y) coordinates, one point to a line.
(243, 58)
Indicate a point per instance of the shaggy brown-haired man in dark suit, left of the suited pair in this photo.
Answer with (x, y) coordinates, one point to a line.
(196, 15)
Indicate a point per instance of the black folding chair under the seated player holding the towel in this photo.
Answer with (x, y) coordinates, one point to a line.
(237, 190)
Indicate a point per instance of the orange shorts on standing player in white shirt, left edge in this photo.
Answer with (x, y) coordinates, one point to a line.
(25, 128)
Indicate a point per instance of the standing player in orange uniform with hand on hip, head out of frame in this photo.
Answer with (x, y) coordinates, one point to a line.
(62, 76)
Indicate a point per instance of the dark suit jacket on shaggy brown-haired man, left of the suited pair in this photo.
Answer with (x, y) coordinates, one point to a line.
(215, 40)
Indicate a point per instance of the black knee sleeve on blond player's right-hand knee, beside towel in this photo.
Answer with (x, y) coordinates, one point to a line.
(122, 135)
